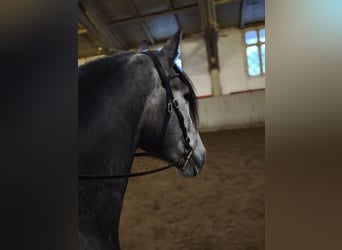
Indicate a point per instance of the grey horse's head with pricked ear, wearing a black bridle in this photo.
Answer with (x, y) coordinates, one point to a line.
(169, 121)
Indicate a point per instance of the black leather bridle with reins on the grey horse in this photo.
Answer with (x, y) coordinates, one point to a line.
(172, 105)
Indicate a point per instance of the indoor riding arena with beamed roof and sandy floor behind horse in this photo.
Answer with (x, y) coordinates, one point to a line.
(222, 51)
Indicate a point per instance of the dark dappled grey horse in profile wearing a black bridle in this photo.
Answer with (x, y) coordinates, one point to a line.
(128, 101)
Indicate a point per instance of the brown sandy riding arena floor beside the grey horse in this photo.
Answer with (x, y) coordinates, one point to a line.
(221, 208)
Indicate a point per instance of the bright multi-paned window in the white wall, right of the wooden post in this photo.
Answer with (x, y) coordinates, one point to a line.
(255, 51)
